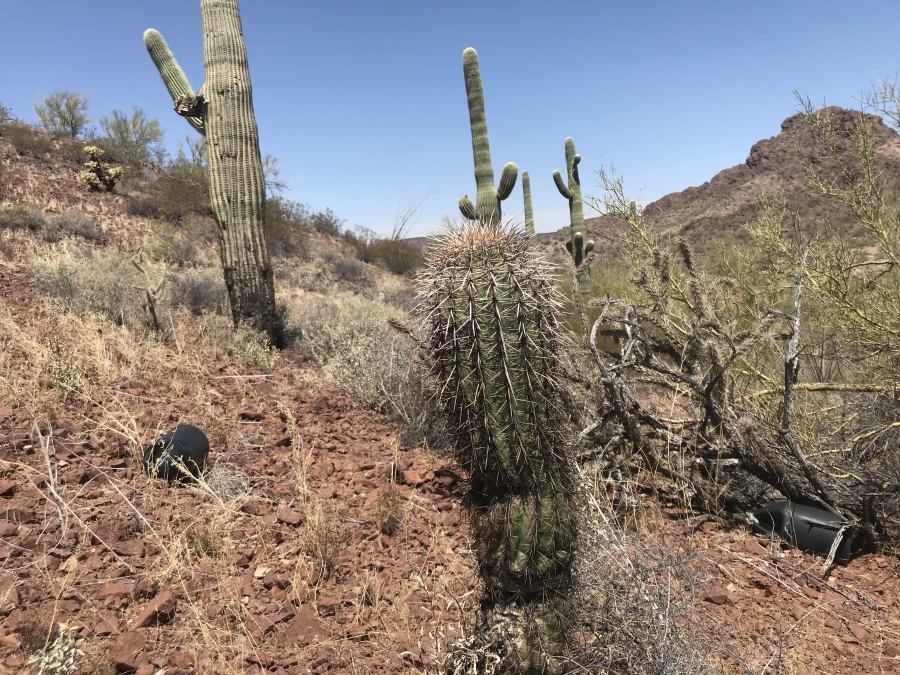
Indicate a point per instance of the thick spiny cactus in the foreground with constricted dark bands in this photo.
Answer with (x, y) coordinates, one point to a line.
(491, 312)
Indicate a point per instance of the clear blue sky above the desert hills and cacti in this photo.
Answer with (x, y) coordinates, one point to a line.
(364, 102)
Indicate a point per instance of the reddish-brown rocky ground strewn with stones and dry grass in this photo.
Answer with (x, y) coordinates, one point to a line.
(280, 561)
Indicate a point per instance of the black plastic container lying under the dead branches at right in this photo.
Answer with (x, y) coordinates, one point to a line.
(809, 528)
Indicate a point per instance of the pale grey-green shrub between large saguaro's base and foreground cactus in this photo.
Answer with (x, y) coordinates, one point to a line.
(371, 360)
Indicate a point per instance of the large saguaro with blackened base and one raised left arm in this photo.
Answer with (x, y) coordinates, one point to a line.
(223, 112)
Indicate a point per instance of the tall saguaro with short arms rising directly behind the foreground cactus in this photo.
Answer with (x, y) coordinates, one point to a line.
(487, 201)
